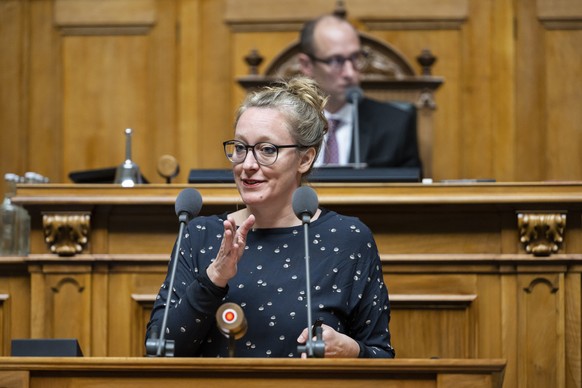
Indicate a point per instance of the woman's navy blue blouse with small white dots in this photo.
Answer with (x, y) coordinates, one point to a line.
(348, 292)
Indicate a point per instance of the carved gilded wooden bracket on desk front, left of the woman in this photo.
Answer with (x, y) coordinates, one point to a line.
(66, 233)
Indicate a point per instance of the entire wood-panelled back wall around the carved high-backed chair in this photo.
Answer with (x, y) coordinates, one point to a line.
(76, 73)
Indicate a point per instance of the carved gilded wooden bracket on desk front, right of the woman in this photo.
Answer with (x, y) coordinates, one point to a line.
(541, 233)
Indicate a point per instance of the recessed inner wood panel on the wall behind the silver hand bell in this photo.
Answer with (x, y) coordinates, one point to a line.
(103, 93)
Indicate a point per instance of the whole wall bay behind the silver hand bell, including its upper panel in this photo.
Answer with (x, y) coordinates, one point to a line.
(98, 68)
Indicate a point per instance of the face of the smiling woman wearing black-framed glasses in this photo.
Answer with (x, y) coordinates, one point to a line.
(273, 185)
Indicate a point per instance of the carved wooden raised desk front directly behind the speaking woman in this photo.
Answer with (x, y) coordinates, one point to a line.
(475, 272)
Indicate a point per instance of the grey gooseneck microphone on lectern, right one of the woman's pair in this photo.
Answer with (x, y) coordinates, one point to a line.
(305, 205)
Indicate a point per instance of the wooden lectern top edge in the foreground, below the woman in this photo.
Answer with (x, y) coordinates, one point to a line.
(47, 372)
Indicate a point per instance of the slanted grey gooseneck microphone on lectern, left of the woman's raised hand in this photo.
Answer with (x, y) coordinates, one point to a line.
(188, 205)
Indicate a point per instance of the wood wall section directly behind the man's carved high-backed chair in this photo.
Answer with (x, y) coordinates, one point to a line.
(407, 27)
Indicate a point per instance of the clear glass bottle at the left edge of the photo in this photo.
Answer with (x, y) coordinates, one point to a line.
(14, 222)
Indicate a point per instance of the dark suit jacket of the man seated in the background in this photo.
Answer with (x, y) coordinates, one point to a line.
(387, 134)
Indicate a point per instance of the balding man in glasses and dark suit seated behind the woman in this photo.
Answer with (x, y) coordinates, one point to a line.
(331, 54)
